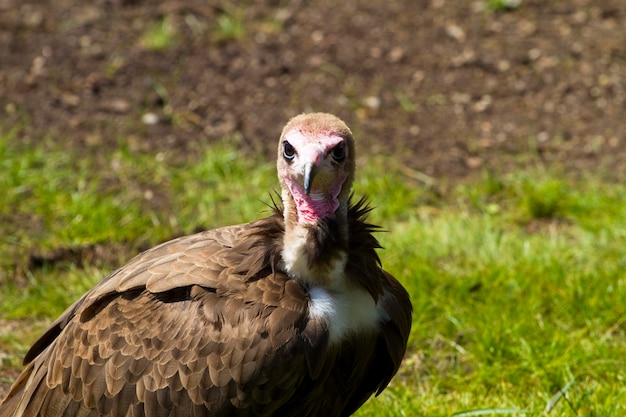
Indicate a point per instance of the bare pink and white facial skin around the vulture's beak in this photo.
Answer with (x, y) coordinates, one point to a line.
(322, 201)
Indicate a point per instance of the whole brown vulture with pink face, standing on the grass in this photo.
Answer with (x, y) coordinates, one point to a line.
(288, 315)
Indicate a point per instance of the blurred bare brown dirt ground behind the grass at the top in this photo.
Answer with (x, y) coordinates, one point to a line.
(444, 87)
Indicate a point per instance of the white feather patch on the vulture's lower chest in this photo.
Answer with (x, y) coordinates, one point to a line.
(352, 310)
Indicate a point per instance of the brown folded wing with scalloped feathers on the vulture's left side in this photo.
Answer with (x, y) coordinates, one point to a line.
(173, 328)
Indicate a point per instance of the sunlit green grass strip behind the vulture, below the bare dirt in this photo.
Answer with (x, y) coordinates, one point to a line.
(517, 279)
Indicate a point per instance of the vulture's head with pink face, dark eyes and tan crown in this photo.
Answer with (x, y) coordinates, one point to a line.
(316, 166)
